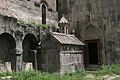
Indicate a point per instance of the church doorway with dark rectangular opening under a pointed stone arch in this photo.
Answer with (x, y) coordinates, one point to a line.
(92, 57)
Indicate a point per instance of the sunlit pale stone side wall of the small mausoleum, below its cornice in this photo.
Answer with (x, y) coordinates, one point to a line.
(71, 62)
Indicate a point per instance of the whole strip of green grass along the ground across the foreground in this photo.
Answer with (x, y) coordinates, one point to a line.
(78, 75)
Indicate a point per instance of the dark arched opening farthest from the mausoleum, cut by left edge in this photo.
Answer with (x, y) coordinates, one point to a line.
(7, 50)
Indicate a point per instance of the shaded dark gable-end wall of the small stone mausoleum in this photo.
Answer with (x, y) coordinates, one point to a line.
(50, 59)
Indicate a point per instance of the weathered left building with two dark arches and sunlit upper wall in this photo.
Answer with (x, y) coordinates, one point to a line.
(18, 39)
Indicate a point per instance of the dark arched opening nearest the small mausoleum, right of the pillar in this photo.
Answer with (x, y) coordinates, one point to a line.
(29, 45)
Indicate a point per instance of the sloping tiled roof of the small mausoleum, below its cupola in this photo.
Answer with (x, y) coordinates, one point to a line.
(66, 38)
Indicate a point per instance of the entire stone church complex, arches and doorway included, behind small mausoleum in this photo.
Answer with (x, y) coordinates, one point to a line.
(94, 22)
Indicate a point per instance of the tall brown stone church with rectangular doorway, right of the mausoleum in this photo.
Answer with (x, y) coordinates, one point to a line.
(97, 24)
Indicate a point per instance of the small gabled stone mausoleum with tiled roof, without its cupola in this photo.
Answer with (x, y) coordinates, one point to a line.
(61, 53)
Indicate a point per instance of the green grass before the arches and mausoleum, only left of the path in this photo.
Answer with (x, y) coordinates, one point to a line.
(37, 75)
